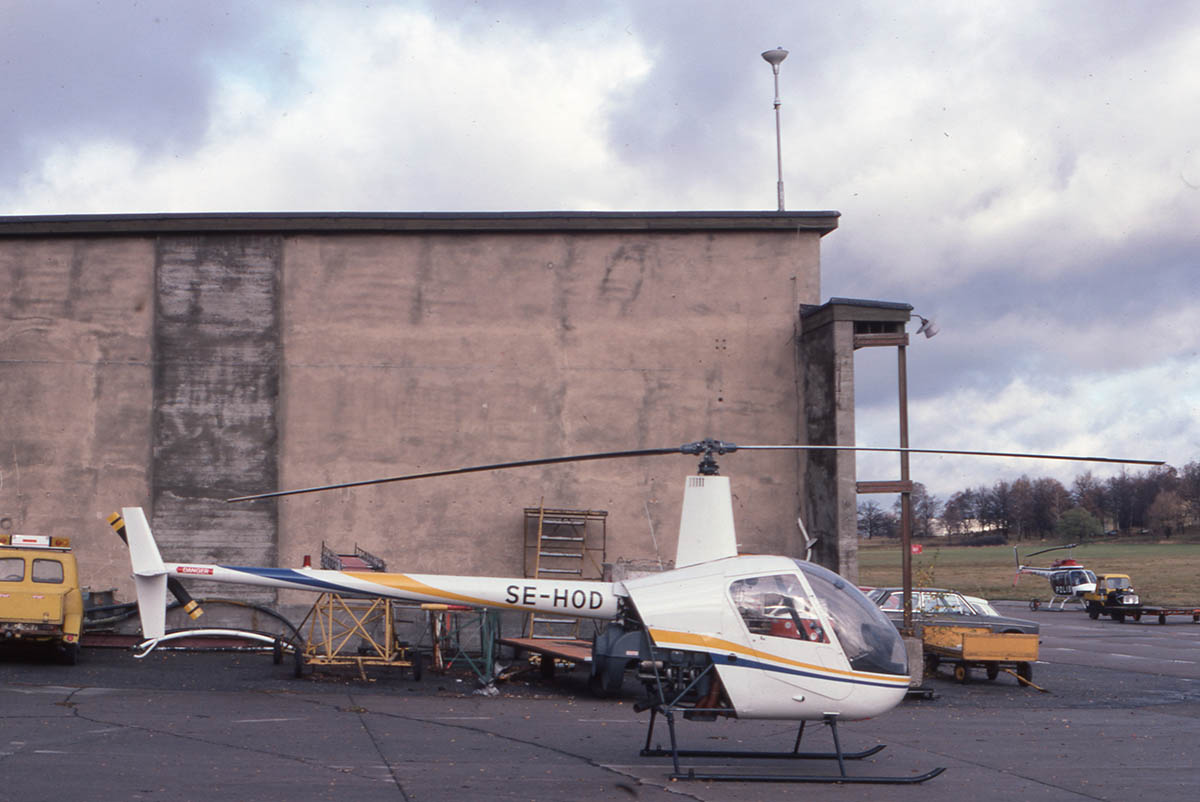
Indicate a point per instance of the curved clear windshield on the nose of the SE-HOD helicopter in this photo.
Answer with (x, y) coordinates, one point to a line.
(871, 642)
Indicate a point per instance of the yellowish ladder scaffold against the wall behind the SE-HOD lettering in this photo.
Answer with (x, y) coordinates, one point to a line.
(562, 544)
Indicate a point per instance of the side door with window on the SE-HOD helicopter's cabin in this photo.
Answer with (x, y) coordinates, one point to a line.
(791, 650)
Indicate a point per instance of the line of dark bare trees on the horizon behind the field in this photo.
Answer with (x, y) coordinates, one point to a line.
(1162, 500)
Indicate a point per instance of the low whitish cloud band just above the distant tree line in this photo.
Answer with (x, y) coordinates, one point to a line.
(1115, 415)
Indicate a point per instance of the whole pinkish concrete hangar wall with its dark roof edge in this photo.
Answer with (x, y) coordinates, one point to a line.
(176, 361)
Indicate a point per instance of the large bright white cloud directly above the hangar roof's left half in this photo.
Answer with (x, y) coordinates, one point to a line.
(394, 112)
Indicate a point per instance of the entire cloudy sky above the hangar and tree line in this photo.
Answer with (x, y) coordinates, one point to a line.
(1027, 173)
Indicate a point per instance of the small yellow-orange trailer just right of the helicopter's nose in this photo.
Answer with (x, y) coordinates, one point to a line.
(968, 648)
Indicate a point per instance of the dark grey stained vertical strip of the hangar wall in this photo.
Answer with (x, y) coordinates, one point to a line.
(217, 340)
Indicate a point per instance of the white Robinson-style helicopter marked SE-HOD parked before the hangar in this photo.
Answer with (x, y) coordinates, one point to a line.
(719, 636)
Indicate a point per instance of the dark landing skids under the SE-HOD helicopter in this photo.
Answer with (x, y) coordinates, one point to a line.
(676, 753)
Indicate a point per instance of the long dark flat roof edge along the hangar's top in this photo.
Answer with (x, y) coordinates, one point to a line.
(337, 223)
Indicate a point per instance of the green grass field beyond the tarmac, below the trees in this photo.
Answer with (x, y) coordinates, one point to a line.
(1162, 573)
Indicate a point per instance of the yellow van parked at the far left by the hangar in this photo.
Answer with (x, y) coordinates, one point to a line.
(40, 597)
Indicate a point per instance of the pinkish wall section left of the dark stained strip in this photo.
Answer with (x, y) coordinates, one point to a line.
(76, 391)
